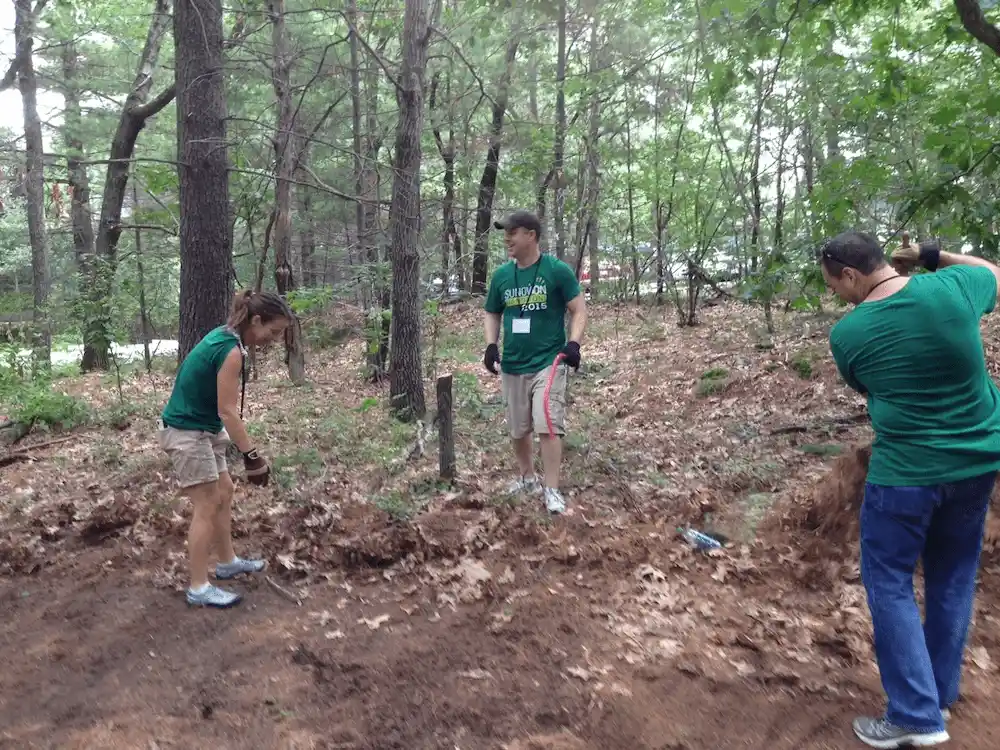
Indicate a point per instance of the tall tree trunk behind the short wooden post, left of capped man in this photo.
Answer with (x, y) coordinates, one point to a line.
(406, 385)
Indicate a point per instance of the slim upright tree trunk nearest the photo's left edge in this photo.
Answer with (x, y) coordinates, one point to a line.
(34, 186)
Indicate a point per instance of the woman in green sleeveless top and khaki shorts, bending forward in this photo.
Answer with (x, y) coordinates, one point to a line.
(203, 416)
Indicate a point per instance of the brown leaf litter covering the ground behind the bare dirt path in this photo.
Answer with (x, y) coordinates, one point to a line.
(378, 549)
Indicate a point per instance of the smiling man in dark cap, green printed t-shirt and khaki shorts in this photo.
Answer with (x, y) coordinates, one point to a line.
(528, 298)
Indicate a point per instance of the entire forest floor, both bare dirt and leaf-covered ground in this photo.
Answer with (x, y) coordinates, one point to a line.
(401, 613)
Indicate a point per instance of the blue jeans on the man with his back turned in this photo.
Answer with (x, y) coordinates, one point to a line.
(921, 665)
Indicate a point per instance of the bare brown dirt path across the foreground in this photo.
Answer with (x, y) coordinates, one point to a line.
(96, 657)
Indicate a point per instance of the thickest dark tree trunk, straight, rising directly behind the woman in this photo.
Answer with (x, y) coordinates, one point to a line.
(206, 236)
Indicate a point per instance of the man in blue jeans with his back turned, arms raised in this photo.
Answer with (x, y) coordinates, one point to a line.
(913, 346)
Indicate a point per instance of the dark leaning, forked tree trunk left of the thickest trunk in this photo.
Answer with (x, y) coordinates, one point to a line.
(102, 265)
